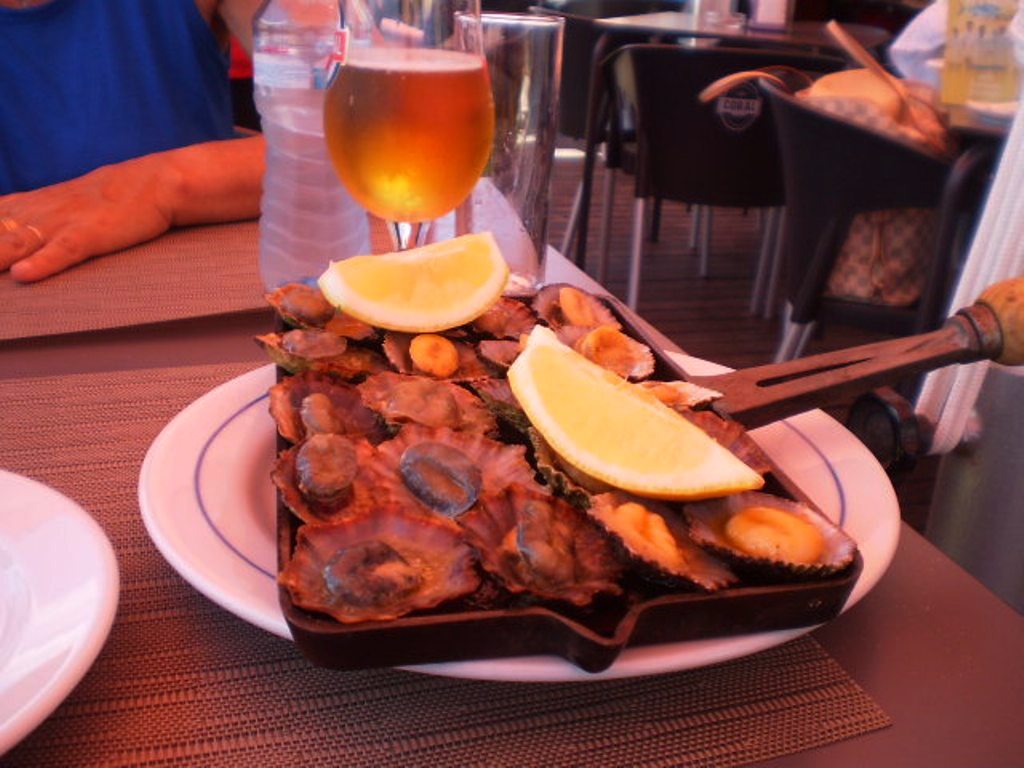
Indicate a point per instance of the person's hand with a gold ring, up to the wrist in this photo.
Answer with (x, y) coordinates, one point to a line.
(47, 231)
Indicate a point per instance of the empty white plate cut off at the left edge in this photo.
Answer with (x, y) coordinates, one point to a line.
(59, 593)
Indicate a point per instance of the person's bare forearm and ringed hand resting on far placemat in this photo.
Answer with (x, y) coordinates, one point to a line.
(47, 231)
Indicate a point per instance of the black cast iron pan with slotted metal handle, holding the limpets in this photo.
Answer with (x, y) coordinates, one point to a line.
(593, 638)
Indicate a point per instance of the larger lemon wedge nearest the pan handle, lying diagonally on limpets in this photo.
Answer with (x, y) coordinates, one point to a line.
(616, 432)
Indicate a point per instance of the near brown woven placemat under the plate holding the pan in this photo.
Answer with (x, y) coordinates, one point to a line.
(183, 682)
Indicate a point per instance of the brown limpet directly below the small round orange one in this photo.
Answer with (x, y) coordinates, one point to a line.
(401, 400)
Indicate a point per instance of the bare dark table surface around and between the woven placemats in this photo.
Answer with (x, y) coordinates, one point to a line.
(940, 653)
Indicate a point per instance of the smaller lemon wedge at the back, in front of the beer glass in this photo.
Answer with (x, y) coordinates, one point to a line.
(432, 288)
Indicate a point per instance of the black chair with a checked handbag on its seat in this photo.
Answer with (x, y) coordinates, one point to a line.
(834, 170)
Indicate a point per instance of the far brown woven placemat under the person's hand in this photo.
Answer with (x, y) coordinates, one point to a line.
(188, 273)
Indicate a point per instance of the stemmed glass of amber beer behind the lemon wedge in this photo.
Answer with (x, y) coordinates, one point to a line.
(409, 117)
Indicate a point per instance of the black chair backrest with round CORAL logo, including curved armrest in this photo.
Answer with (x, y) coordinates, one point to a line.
(718, 154)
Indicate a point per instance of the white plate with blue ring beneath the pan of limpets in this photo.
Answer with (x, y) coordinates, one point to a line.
(209, 507)
